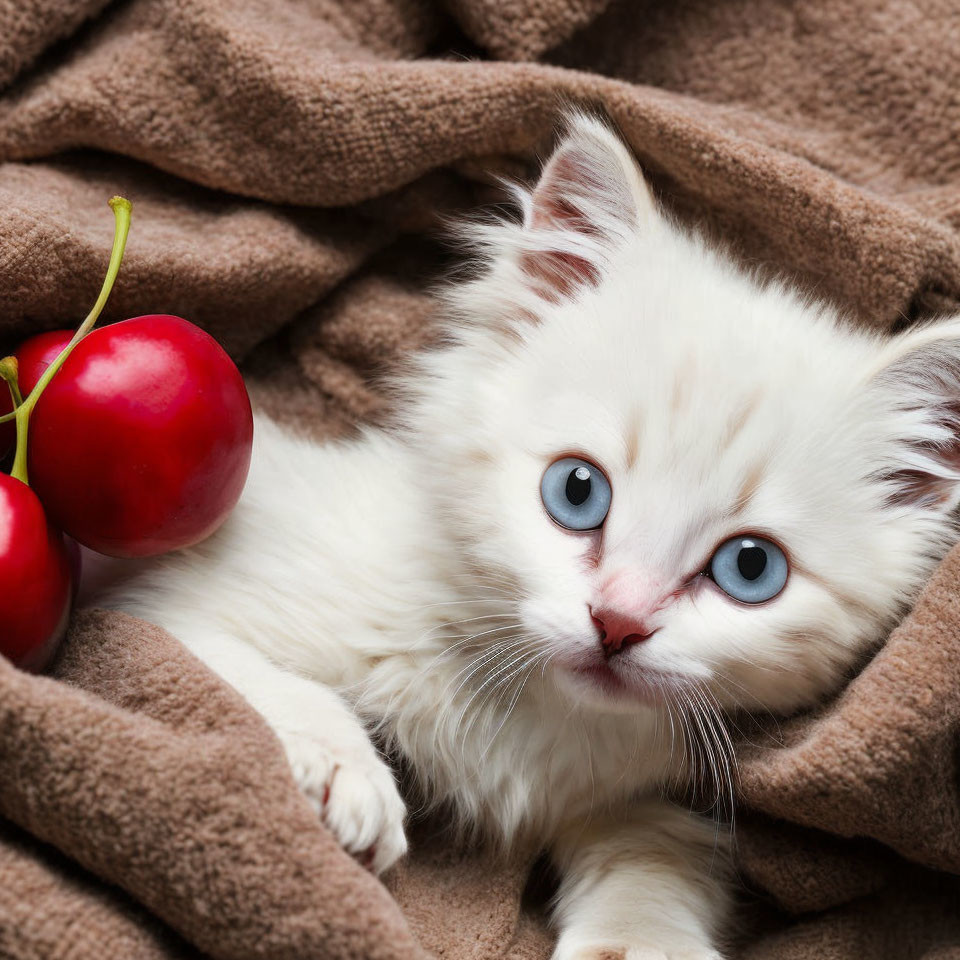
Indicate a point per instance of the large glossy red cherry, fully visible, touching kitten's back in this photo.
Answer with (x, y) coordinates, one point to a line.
(141, 442)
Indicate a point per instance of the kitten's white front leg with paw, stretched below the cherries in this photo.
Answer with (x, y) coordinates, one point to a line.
(332, 758)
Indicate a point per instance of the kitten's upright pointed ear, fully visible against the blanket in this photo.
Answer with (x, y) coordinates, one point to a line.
(590, 197)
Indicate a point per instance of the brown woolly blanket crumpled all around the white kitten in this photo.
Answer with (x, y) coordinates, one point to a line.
(288, 162)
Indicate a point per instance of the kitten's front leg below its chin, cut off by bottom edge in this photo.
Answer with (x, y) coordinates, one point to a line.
(649, 887)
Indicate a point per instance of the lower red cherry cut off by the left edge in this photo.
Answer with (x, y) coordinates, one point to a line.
(35, 574)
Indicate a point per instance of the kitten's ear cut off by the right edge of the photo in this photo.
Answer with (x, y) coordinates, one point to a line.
(919, 379)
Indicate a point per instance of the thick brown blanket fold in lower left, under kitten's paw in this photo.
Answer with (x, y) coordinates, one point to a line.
(154, 775)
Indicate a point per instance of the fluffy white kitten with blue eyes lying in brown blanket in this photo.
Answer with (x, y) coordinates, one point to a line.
(634, 490)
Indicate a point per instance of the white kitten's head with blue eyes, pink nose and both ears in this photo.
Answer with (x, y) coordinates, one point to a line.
(675, 475)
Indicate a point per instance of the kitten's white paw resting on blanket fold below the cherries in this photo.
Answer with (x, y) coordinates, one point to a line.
(354, 793)
